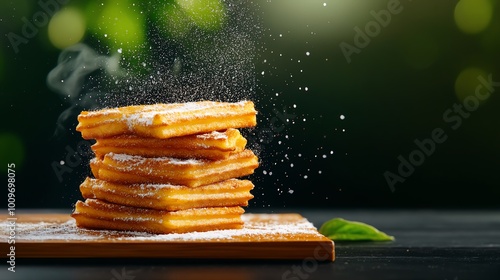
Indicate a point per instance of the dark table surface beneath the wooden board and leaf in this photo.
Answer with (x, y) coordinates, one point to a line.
(430, 244)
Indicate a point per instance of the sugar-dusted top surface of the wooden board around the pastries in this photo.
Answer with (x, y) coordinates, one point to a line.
(266, 227)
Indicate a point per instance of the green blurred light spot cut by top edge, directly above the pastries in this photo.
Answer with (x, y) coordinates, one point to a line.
(207, 14)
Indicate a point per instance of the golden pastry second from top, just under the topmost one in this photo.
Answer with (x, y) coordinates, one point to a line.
(214, 145)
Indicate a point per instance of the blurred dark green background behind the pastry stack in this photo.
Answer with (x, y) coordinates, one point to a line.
(365, 103)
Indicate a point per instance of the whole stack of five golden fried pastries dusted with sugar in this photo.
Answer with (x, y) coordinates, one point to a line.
(167, 168)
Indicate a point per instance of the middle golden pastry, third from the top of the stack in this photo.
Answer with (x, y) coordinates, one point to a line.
(124, 168)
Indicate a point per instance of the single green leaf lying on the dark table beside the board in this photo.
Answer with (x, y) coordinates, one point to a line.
(339, 229)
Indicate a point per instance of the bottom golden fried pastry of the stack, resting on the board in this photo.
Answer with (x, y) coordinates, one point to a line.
(97, 214)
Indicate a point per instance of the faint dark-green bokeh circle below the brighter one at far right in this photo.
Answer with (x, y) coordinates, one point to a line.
(468, 81)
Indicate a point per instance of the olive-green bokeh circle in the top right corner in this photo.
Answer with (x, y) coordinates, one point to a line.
(473, 16)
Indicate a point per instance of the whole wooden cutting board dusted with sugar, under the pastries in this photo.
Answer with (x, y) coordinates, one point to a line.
(264, 236)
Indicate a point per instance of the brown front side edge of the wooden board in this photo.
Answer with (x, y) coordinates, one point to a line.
(290, 250)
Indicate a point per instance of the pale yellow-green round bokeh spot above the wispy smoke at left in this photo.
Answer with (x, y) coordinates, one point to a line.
(66, 28)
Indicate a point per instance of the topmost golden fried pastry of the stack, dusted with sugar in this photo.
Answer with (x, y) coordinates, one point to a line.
(166, 120)
